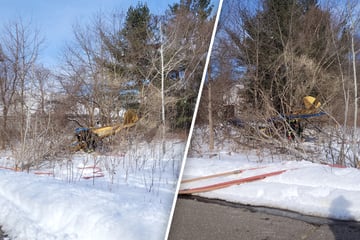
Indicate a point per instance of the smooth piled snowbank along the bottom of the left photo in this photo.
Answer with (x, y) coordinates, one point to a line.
(35, 207)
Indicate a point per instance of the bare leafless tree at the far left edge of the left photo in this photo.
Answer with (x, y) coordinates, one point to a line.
(20, 48)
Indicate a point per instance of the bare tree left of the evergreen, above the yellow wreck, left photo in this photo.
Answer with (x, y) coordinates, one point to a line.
(87, 77)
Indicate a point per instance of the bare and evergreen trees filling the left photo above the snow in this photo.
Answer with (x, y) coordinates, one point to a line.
(150, 63)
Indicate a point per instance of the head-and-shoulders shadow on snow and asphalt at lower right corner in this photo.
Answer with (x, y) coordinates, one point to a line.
(343, 229)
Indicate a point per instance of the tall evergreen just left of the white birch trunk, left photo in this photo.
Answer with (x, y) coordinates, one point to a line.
(130, 46)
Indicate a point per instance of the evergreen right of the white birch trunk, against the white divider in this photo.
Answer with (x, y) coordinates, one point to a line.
(190, 24)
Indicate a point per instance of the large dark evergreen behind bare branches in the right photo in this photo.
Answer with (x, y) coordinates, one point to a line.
(283, 46)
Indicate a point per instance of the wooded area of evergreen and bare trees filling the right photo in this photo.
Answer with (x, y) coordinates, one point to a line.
(269, 55)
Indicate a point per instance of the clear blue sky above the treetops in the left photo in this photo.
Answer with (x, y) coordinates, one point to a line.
(55, 18)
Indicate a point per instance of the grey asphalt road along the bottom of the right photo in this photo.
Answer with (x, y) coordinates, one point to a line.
(194, 219)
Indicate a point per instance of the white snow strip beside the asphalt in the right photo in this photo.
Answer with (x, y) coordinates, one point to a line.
(305, 187)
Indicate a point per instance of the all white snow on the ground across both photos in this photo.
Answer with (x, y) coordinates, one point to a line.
(129, 195)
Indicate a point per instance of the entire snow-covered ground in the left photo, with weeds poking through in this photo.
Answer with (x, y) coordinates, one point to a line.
(91, 196)
